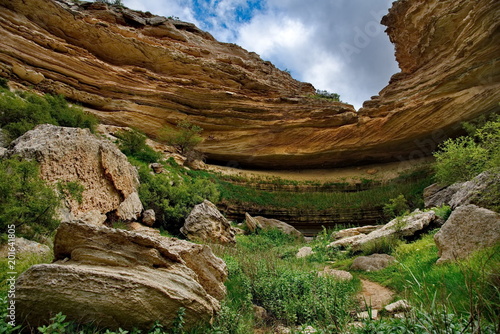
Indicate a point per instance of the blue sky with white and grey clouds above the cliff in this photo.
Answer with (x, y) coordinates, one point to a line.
(337, 45)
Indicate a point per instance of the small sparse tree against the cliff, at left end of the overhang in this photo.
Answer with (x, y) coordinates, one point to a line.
(185, 138)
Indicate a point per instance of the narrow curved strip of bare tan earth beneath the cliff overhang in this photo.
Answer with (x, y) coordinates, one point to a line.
(348, 174)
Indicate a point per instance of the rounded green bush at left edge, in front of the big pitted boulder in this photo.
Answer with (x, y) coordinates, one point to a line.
(26, 201)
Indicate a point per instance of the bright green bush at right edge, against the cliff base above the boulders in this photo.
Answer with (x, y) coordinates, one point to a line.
(463, 158)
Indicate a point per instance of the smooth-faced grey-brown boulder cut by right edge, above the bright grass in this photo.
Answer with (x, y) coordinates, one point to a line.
(468, 229)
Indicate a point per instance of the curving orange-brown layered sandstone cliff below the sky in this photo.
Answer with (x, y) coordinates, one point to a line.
(146, 71)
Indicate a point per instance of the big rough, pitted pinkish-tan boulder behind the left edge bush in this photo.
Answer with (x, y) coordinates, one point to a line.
(75, 155)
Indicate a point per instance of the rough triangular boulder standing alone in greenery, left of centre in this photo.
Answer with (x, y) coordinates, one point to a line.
(206, 223)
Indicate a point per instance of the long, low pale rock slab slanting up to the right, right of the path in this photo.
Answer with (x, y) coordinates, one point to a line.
(400, 227)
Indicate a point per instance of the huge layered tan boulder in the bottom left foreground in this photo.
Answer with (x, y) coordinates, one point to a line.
(115, 278)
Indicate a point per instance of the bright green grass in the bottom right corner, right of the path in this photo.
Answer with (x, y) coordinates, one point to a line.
(466, 293)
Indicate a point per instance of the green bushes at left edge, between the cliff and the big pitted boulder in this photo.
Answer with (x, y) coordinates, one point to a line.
(22, 111)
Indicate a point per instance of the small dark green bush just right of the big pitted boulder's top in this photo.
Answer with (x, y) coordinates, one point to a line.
(133, 144)
